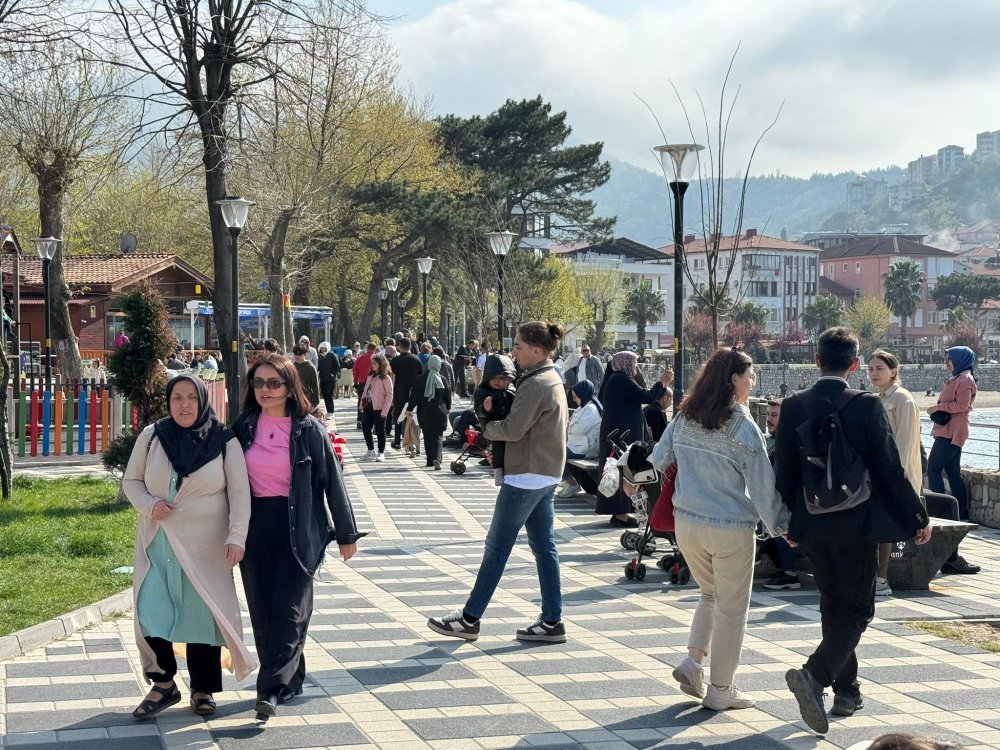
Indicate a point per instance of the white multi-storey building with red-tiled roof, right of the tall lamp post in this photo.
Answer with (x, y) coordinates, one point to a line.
(779, 275)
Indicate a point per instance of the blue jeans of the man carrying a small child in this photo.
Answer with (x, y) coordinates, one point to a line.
(533, 510)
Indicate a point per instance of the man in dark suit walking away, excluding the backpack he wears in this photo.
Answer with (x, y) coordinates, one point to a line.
(842, 545)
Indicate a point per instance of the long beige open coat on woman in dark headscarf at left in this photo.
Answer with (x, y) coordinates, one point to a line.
(211, 510)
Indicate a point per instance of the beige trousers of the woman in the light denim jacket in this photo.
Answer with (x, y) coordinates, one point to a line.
(721, 561)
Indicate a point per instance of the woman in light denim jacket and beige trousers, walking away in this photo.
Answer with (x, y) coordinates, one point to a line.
(724, 486)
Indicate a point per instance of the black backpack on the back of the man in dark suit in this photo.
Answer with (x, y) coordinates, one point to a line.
(834, 476)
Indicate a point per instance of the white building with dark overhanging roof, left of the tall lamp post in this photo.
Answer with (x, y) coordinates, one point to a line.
(638, 263)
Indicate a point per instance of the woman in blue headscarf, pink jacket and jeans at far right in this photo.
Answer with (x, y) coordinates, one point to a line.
(951, 425)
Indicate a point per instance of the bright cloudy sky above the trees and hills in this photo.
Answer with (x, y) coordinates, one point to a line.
(861, 83)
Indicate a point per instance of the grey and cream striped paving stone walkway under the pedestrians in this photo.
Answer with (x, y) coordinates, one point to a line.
(380, 679)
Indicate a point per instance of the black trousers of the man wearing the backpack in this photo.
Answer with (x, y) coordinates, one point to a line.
(845, 576)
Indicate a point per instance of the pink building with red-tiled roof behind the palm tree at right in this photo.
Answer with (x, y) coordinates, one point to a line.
(861, 264)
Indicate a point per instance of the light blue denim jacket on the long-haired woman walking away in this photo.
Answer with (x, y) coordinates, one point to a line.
(724, 478)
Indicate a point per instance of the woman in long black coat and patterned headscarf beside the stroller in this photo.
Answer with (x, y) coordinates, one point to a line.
(623, 399)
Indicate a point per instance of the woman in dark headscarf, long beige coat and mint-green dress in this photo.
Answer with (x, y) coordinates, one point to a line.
(188, 480)
